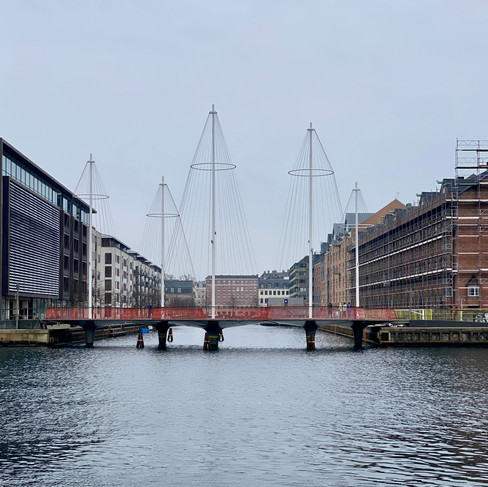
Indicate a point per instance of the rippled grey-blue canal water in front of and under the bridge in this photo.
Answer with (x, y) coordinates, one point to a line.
(259, 412)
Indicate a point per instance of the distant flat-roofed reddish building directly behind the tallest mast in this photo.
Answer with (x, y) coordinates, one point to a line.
(233, 290)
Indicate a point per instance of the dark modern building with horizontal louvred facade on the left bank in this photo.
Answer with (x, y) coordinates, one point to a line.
(43, 241)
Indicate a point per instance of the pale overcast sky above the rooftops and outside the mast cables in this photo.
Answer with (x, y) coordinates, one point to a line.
(388, 85)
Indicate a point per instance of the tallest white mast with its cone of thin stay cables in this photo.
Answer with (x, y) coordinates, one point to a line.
(212, 210)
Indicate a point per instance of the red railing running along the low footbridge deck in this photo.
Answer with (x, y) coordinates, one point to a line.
(290, 313)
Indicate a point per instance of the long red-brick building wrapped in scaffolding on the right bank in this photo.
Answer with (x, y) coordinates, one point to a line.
(434, 255)
